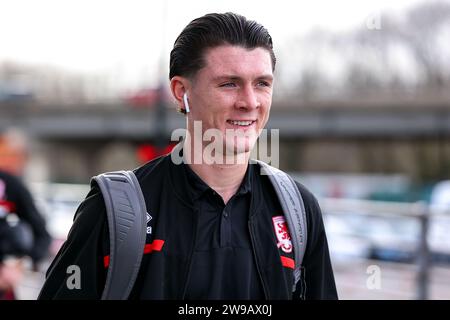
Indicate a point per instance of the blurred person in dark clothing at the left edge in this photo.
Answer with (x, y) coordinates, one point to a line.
(22, 228)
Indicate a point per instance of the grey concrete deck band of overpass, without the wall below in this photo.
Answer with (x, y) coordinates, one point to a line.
(120, 121)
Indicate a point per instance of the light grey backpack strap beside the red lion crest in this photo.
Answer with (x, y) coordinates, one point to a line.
(294, 209)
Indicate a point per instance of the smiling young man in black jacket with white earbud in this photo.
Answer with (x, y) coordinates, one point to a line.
(212, 230)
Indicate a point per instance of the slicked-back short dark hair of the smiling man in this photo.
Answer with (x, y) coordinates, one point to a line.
(213, 30)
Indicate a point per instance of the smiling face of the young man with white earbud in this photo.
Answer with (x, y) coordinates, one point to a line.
(233, 93)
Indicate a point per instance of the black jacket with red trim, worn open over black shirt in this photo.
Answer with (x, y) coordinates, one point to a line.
(165, 268)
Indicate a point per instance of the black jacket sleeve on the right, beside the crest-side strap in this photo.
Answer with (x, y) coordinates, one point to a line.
(317, 280)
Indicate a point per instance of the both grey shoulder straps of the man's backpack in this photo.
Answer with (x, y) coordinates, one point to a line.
(126, 212)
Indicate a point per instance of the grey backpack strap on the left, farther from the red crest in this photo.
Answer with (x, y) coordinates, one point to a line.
(126, 211)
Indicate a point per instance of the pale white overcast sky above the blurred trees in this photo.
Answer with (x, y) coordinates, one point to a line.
(128, 37)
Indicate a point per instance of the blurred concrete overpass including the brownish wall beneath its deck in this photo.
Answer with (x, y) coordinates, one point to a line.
(411, 139)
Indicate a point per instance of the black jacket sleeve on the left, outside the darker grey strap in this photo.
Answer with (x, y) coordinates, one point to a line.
(77, 272)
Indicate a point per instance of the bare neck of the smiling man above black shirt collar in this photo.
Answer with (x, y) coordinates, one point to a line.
(225, 179)
